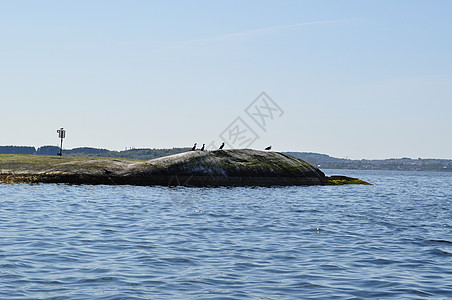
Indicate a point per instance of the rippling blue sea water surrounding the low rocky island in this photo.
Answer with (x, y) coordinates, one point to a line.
(392, 240)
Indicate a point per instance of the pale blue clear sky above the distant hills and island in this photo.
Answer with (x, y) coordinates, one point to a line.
(351, 79)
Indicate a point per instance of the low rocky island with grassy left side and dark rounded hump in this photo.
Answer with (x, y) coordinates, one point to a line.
(236, 167)
